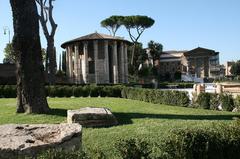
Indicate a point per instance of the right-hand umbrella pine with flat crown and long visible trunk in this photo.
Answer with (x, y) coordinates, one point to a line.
(138, 24)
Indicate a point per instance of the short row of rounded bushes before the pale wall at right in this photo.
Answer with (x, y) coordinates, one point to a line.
(212, 101)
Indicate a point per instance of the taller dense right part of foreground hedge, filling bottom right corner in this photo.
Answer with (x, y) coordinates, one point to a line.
(222, 142)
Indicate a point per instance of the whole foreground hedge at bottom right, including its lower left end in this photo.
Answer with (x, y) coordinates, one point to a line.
(221, 141)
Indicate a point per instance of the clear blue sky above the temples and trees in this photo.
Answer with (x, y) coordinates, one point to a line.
(179, 24)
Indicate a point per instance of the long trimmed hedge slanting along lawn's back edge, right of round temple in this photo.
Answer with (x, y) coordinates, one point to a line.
(176, 98)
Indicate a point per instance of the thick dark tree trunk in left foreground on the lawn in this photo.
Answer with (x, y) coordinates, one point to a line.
(26, 44)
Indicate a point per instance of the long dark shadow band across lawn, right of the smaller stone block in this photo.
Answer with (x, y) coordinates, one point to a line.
(126, 118)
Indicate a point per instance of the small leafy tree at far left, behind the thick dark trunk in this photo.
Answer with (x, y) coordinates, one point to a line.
(9, 54)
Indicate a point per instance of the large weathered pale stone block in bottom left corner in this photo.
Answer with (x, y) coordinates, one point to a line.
(22, 140)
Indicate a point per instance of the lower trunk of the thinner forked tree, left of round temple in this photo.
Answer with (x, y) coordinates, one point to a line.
(52, 60)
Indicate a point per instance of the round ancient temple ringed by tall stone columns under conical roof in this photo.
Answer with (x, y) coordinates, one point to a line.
(97, 58)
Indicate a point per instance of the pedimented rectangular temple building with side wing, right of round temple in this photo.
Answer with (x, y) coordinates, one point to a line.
(193, 65)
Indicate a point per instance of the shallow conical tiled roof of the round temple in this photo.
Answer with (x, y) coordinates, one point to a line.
(94, 36)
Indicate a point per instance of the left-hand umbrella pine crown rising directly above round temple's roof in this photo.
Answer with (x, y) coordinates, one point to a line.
(112, 24)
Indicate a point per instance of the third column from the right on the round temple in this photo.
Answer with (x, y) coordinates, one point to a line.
(115, 63)
